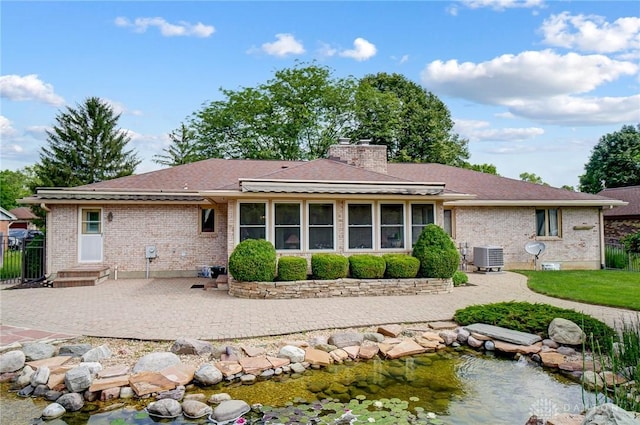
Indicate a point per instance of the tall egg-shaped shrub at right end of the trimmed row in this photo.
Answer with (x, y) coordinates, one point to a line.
(437, 253)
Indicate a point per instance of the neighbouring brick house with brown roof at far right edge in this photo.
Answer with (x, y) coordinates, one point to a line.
(625, 220)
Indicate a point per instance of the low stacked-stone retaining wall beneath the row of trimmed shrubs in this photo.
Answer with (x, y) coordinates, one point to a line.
(339, 288)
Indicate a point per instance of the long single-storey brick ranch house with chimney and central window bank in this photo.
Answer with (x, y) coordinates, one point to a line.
(352, 202)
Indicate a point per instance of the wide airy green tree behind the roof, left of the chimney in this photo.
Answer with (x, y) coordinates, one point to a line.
(296, 115)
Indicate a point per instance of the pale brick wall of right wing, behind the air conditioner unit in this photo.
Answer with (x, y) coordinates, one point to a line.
(512, 228)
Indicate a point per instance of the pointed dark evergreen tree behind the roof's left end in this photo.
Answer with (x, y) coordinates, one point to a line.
(85, 146)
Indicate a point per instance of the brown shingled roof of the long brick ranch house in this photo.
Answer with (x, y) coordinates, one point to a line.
(234, 177)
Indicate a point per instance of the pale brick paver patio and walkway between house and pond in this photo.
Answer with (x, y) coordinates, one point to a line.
(166, 309)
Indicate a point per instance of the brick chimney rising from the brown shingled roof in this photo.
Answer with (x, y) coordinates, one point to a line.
(363, 155)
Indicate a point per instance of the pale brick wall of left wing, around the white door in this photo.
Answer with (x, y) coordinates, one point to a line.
(173, 229)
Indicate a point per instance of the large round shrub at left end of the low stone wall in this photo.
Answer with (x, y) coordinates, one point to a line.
(253, 260)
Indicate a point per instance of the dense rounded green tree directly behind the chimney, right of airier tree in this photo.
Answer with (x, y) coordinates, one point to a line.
(413, 123)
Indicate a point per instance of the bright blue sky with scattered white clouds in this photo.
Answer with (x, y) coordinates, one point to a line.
(531, 84)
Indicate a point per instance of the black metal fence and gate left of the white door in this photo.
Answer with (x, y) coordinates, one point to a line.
(22, 260)
